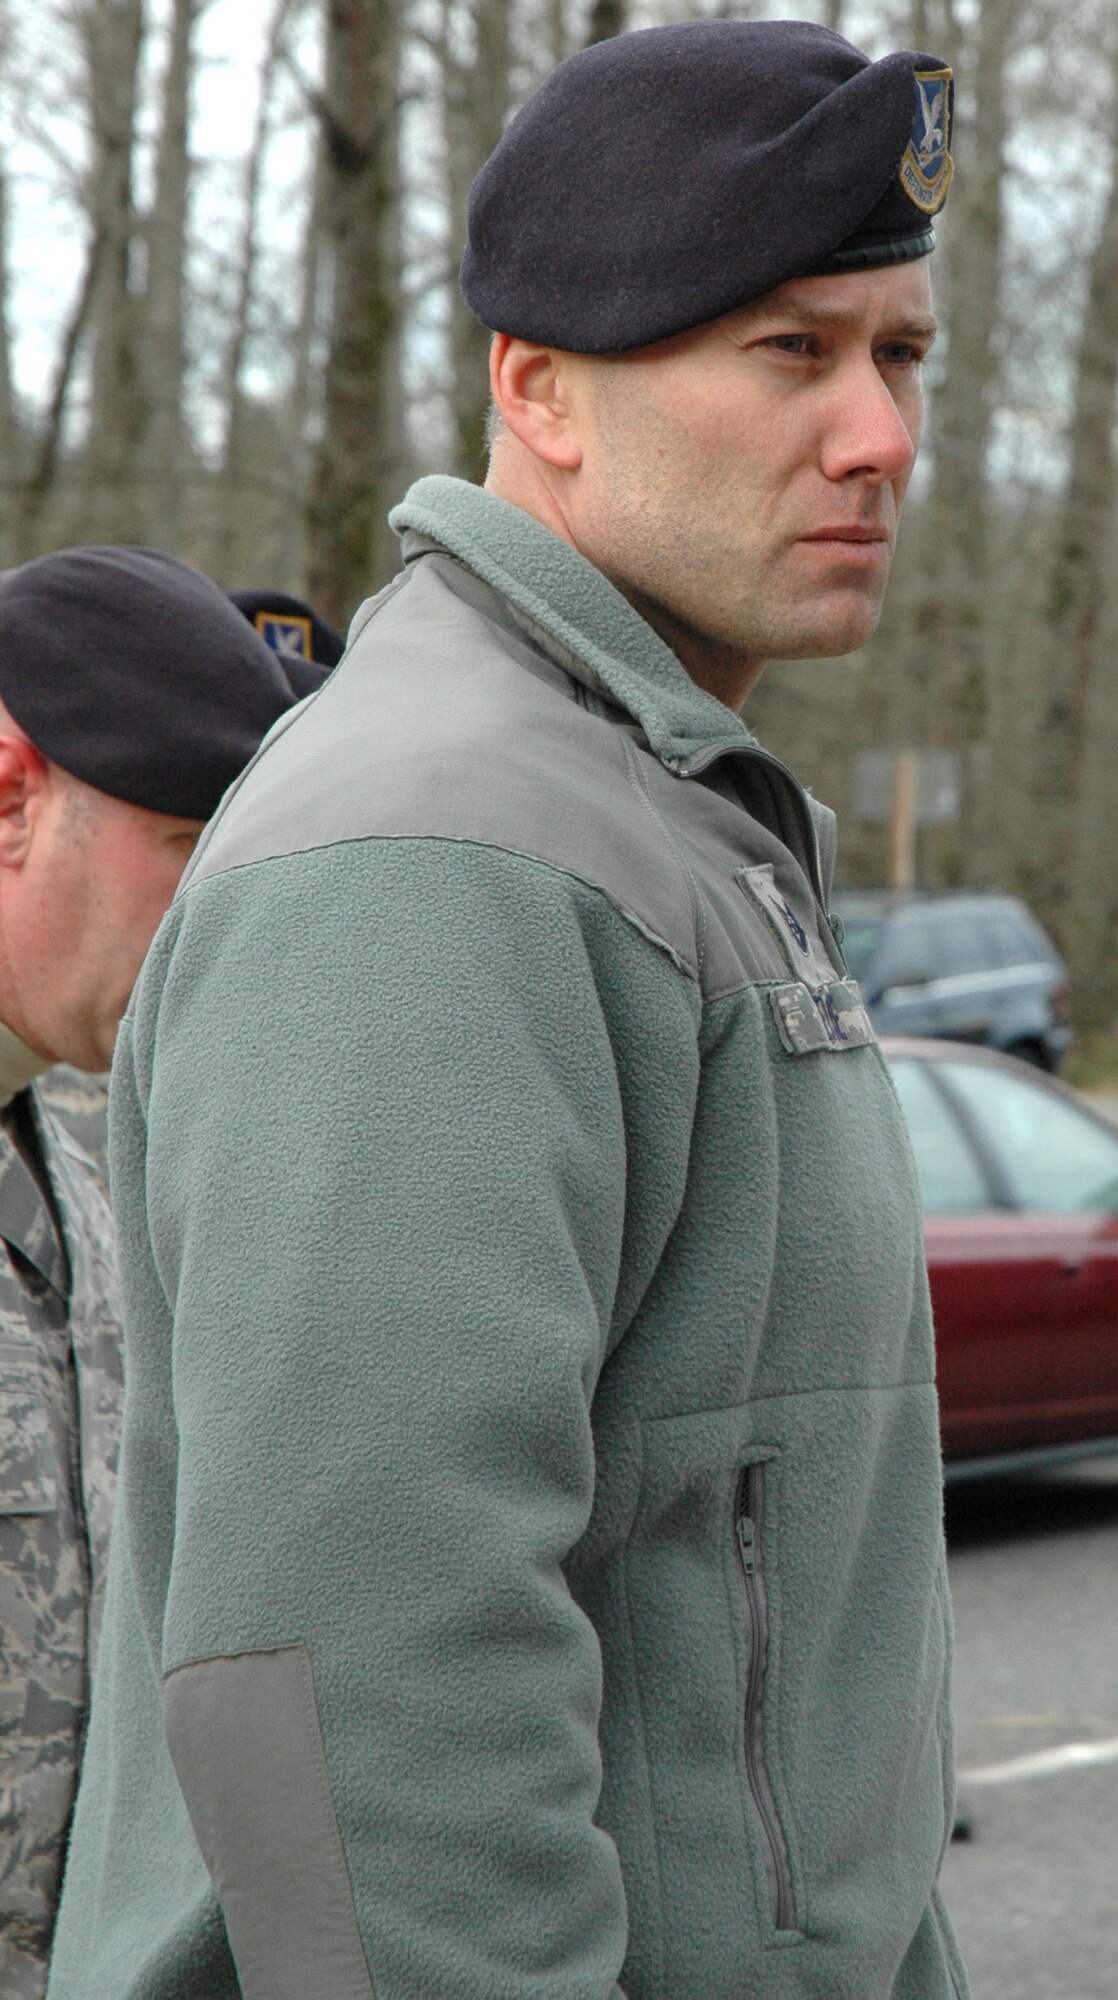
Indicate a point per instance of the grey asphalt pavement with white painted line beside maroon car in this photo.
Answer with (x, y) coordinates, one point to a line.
(1035, 1891)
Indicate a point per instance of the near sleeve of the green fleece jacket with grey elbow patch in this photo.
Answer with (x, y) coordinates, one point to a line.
(385, 1177)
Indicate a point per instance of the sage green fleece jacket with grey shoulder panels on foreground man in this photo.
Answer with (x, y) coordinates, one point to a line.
(529, 1581)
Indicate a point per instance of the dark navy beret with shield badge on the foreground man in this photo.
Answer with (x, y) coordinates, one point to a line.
(673, 175)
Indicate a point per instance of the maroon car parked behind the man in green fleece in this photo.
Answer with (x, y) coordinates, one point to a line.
(1021, 1229)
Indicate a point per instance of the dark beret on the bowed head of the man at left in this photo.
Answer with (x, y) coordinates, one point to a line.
(137, 675)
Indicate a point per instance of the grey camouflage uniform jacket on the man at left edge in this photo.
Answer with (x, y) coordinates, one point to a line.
(61, 1389)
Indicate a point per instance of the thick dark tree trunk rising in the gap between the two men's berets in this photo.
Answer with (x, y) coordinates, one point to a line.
(353, 463)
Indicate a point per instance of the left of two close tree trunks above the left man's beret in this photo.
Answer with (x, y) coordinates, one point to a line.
(113, 33)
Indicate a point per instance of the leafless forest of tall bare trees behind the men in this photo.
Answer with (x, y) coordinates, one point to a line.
(261, 345)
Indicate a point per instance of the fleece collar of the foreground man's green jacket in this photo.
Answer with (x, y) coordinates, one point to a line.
(565, 595)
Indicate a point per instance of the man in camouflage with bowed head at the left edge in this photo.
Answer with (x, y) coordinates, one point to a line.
(131, 697)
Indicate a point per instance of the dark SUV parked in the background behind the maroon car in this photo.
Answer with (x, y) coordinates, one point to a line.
(971, 967)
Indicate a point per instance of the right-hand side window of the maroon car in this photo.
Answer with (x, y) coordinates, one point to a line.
(1051, 1153)
